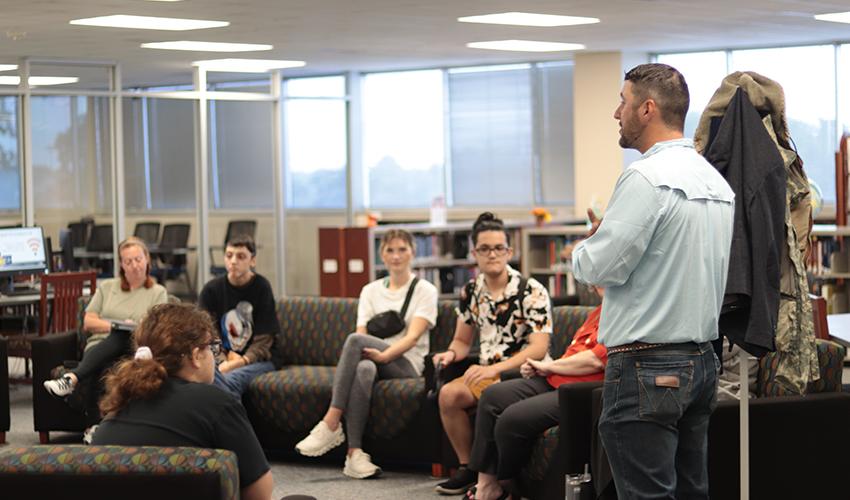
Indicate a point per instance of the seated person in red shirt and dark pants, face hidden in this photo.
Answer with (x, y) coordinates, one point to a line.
(512, 414)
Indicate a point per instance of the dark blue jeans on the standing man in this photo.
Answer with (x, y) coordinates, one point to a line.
(654, 423)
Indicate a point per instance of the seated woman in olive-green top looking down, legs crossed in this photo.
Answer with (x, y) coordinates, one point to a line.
(117, 306)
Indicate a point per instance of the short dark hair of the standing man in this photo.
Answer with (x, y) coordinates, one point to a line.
(664, 85)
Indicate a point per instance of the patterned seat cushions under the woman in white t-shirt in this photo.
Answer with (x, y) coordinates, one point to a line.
(295, 398)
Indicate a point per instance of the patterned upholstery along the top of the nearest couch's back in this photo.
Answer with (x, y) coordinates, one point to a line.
(100, 461)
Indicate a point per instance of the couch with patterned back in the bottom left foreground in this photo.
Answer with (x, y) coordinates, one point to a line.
(129, 473)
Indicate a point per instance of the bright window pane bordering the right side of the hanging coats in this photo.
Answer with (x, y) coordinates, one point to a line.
(809, 102)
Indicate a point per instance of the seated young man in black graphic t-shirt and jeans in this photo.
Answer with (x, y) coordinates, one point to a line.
(242, 308)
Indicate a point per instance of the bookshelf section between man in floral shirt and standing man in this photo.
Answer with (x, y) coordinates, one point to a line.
(541, 258)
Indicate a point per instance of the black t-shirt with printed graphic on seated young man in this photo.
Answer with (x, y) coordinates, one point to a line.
(244, 316)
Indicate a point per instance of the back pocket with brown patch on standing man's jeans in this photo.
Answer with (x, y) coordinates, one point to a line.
(664, 388)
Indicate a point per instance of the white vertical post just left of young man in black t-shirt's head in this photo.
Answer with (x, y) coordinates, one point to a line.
(202, 176)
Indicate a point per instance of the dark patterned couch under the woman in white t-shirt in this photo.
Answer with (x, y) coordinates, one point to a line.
(285, 404)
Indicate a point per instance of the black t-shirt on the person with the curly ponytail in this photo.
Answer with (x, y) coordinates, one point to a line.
(188, 414)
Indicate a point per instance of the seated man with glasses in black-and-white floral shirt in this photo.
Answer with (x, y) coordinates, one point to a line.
(513, 319)
